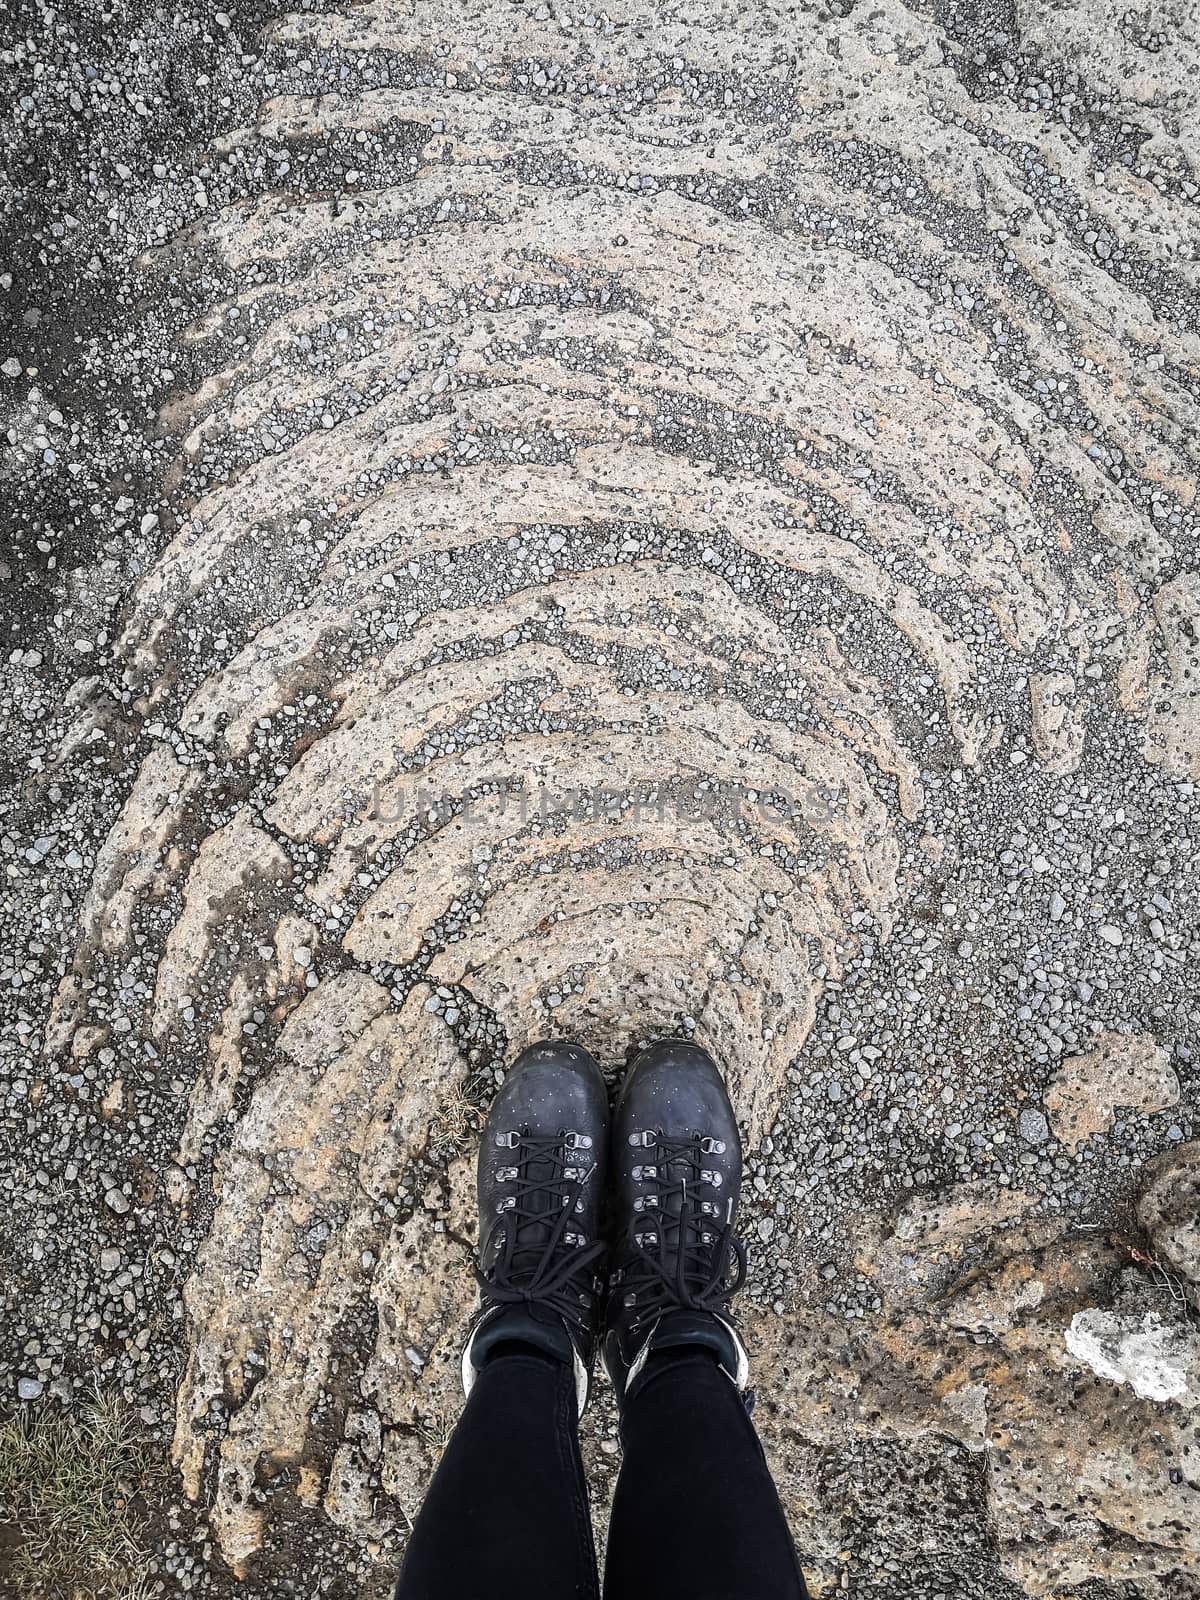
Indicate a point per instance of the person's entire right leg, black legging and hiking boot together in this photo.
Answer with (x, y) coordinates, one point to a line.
(697, 1516)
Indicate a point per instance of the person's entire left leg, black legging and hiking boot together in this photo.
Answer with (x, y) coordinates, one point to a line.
(506, 1516)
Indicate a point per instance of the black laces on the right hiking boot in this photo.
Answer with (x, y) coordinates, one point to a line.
(690, 1262)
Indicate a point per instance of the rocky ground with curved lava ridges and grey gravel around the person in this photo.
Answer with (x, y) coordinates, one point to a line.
(532, 521)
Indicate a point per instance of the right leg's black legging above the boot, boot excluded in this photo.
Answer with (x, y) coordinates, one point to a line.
(695, 1516)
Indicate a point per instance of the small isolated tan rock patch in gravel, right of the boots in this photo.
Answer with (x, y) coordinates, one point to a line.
(1121, 1070)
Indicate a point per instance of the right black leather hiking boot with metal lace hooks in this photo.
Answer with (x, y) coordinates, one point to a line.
(678, 1174)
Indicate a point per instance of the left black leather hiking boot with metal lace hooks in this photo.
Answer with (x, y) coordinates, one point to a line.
(543, 1167)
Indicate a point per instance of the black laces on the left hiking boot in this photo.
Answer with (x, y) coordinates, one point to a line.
(537, 1265)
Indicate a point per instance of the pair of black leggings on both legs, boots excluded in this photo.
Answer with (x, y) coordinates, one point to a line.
(695, 1516)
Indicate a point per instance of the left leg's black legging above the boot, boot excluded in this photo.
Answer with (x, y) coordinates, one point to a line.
(506, 1516)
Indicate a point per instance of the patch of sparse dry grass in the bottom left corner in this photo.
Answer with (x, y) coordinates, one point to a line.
(68, 1490)
